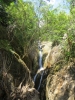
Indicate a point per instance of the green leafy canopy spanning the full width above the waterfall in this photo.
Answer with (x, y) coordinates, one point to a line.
(27, 31)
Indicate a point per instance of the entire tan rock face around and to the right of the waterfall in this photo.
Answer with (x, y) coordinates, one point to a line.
(59, 85)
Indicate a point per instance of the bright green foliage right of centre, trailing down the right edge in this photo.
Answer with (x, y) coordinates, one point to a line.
(56, 25)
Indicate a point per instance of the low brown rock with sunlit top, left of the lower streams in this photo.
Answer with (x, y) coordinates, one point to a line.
(25, 93)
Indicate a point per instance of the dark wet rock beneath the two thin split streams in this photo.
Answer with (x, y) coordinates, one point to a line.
(42, 87)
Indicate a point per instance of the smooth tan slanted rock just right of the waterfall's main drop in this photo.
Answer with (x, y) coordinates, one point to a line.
(53, 56)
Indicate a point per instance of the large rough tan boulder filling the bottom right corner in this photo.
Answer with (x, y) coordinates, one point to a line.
(61, 85)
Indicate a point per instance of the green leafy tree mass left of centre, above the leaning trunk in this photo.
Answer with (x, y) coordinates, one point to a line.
(25, 19)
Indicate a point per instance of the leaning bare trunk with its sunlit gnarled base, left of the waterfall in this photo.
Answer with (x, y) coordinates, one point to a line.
(24, 91)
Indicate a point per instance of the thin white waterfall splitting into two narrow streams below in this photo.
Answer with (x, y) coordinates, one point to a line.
(40, 64)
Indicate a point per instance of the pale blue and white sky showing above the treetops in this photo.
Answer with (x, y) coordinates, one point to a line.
(62, 4)
